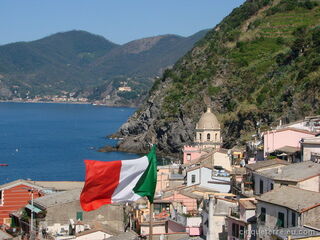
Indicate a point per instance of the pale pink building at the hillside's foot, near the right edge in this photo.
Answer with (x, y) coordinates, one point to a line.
(286, 137)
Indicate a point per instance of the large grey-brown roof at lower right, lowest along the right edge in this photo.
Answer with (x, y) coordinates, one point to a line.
(297, 199)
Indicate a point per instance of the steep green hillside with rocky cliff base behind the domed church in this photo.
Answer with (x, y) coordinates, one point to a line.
(259, 65)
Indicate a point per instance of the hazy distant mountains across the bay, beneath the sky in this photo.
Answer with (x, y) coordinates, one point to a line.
(81, 64)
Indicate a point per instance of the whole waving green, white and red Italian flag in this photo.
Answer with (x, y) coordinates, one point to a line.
(119, 181)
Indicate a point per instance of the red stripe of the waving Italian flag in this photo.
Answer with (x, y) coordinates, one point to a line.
(102, 178)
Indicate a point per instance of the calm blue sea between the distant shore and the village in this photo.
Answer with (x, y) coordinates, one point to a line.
(50, 141)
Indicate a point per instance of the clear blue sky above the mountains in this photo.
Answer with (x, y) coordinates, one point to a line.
(117, 20)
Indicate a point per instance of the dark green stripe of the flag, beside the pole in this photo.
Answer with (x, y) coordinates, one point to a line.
(146, 186)
